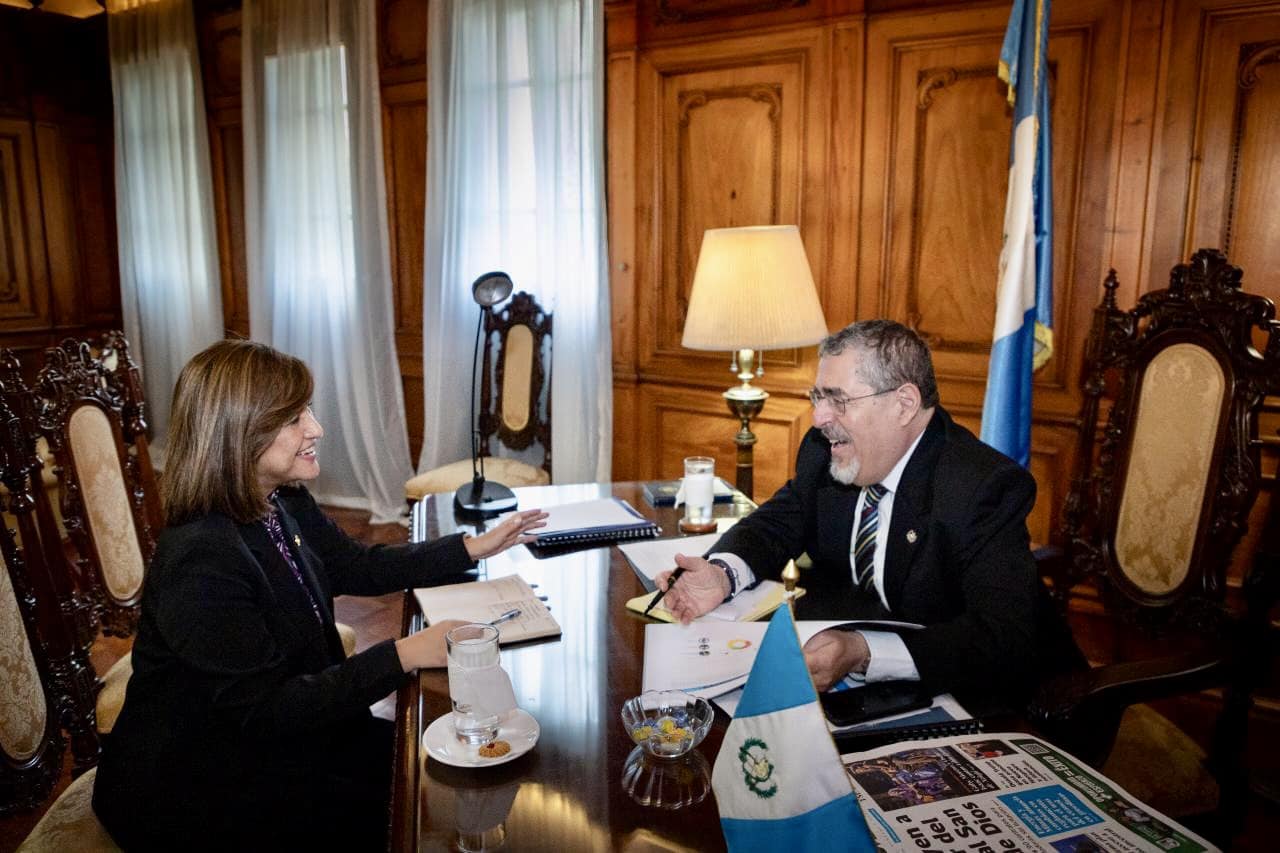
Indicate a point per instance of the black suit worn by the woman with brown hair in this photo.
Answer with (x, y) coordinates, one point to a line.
(243, 708)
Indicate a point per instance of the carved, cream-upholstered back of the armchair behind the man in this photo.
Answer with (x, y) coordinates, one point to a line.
(1159, 503)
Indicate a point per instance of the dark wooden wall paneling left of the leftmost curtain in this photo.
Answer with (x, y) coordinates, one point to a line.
(58, 264)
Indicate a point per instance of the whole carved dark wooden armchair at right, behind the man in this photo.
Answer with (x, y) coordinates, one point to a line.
(1153, 517)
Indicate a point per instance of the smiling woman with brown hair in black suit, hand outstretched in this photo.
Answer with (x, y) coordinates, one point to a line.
(245, 727)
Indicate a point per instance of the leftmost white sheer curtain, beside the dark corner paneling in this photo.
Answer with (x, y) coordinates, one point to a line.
(170, 288)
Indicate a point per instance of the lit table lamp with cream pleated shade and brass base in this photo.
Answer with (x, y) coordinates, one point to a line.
(753, 291)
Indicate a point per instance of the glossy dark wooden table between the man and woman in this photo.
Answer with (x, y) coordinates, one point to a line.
(575, 790)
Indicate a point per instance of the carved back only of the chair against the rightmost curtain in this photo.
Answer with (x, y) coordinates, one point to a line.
(513, 405)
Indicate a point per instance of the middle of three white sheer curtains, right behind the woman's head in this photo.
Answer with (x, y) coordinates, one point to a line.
(317, 234)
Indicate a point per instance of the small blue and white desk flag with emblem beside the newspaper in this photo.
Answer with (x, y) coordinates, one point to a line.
(779, 778)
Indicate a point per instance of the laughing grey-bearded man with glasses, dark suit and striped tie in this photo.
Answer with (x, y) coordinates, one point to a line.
(906, 516)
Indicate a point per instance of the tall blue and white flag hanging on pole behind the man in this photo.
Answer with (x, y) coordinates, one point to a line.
(1025, 302)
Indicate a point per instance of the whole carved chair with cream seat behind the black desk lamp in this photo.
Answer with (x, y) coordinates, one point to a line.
(514, 410)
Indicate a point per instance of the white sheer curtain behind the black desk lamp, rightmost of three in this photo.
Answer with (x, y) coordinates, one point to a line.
(516, 183)
